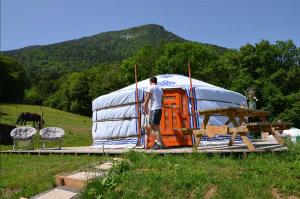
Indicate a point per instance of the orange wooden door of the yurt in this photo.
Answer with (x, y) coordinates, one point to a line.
(175, 116)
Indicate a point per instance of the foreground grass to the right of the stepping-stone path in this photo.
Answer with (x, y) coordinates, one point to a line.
(192, 175)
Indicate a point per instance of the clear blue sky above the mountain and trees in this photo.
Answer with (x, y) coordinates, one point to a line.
(228, 23)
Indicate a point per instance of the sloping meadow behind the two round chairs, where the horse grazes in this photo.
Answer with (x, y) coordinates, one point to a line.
(77, 128)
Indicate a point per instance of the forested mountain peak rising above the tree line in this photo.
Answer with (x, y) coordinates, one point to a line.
(57, 59)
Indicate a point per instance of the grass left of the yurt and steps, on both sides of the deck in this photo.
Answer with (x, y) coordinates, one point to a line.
(23, 175)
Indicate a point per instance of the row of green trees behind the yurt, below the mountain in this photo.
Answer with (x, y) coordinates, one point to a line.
(272, 69)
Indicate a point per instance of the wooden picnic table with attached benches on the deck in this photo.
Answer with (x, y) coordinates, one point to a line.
(238, 118)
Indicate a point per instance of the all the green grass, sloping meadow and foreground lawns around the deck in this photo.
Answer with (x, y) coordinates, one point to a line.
(145, 175)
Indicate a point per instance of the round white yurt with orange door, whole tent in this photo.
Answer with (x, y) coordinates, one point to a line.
(116, 116)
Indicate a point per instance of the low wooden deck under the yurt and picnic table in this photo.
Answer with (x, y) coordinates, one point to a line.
(261, 146)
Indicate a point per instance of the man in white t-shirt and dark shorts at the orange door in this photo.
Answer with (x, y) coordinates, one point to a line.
(154, 93)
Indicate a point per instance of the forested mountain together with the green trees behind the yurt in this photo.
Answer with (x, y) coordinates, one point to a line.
(69, 75)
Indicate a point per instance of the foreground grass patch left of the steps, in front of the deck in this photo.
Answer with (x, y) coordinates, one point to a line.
(28, 175)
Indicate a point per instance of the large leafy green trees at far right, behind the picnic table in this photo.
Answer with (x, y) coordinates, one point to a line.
(274, 69)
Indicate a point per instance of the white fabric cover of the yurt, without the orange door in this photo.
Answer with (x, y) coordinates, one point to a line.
(115, 116)
